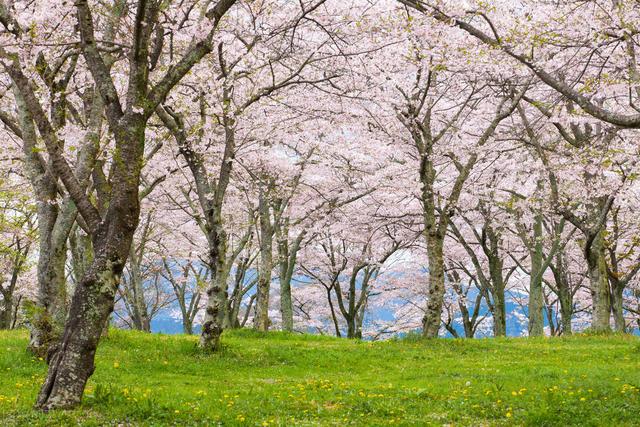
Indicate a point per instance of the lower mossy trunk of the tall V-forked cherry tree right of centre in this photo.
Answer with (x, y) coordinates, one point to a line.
(435, 292)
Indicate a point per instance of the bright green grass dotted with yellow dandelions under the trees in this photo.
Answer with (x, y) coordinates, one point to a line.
(285, 379)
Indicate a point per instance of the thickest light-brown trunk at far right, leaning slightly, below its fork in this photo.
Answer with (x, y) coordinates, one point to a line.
(598, 284)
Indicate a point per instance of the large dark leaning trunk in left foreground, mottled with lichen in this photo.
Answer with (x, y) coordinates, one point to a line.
(71, 362)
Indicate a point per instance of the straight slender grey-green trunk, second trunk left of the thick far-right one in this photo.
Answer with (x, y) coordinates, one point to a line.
(536, 298)
